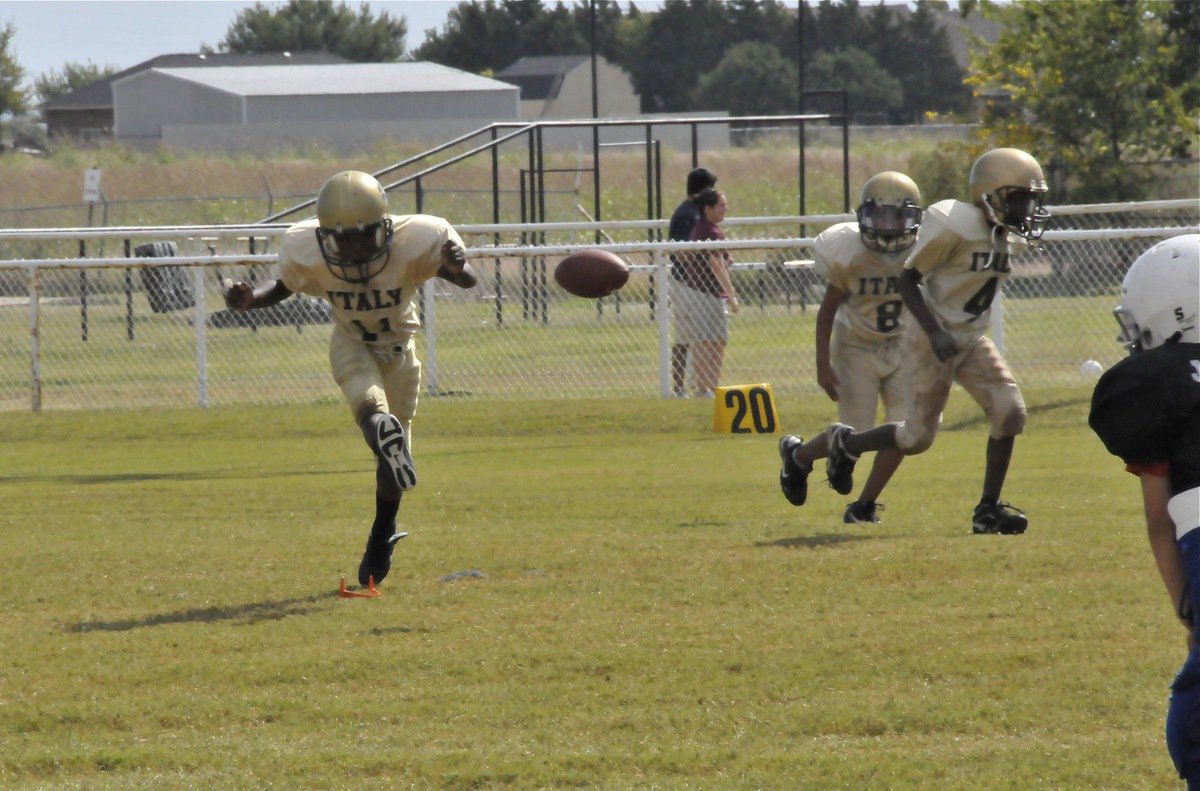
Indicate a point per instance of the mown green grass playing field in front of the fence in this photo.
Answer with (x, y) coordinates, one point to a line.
(593, 595)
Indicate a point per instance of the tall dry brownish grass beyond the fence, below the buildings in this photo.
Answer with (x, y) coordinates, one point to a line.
(167, 188)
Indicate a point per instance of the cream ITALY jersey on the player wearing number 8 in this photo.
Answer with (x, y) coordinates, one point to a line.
(873, 310)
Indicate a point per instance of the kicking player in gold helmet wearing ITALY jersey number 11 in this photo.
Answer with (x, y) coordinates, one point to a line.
(369, 265)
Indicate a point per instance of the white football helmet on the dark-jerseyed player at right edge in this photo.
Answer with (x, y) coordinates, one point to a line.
(1161, 296)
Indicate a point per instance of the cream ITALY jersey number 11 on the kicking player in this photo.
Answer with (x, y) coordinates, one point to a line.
(382, 313)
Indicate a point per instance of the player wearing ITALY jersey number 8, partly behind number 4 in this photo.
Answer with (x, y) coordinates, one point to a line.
(859, 332)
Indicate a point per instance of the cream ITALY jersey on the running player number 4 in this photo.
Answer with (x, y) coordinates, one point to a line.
(962, 266)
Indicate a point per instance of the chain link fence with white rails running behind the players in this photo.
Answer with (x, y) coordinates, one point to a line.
(134, 317)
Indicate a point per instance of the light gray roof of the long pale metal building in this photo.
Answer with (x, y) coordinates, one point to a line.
(309, 81)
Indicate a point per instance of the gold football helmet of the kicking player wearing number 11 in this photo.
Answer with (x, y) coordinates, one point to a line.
(355, 229)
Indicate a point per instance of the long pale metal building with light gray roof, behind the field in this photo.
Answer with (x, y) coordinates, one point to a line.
(344, 107)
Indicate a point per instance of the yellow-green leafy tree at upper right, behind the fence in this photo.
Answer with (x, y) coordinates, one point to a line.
(1095, 105)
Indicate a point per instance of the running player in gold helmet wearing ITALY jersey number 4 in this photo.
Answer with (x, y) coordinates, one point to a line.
(949, 284)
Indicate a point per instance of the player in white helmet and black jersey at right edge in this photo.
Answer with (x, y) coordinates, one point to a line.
(1147, 410)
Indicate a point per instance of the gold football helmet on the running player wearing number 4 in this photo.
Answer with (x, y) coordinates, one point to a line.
(1009, 185)
